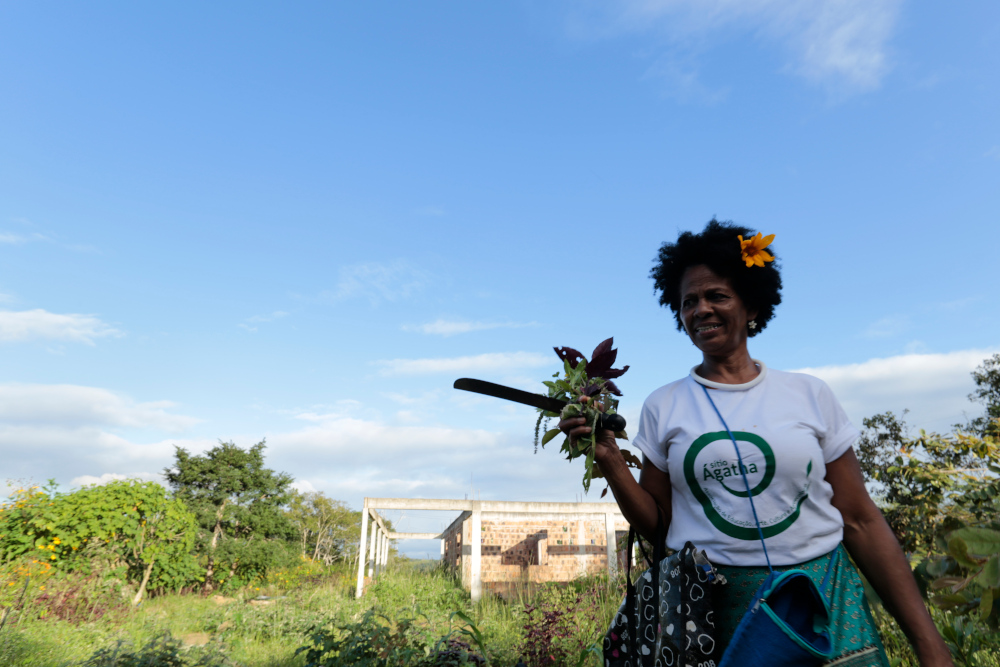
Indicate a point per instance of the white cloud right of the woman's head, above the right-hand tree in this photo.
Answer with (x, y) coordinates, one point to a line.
(934, 387)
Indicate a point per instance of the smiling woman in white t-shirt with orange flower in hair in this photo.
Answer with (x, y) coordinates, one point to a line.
(796, 447)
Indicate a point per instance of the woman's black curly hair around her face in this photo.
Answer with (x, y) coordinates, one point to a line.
(718, 248)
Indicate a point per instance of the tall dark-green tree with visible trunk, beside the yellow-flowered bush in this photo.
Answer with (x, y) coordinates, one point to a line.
(237, 502)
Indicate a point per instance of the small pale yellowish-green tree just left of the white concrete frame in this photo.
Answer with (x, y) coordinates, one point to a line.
(328, 529)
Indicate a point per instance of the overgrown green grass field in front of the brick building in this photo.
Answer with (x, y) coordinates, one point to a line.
(410, 610)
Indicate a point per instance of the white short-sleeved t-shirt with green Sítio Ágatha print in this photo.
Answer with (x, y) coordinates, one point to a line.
(788, 426)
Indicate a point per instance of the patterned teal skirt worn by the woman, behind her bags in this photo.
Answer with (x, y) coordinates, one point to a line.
(855, 640)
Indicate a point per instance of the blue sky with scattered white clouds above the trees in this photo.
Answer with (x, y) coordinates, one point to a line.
(304, 221)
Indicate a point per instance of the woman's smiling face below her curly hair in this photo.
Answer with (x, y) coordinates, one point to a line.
(713, 315)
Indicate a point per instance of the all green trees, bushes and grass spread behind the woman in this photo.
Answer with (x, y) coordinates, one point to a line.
(123, 575)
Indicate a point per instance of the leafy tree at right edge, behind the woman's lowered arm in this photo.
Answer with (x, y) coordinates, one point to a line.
(940, 496)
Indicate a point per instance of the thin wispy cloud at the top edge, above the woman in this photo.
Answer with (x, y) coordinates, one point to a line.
(843, 42)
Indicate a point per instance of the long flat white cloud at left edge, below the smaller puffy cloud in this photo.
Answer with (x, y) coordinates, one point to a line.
(71, 406)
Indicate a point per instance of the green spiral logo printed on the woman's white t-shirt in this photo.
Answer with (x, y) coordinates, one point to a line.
(724, 476)
